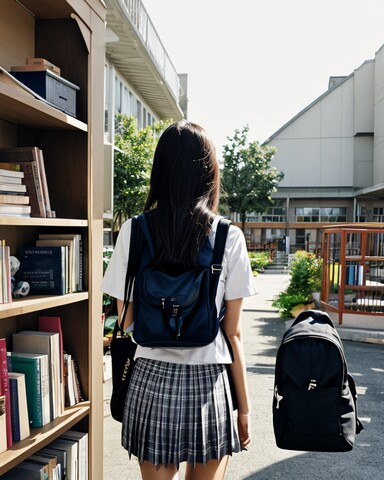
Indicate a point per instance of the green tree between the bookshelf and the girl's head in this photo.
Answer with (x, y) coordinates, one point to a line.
(133, 160)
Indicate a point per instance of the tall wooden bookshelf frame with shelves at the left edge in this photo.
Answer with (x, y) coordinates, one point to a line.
(70, 34)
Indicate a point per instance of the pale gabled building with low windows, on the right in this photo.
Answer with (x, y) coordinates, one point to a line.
(332, 156)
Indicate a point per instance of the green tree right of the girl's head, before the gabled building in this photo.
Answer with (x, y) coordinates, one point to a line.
(247, 176)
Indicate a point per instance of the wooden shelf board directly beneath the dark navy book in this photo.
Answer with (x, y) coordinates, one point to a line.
(36, 303)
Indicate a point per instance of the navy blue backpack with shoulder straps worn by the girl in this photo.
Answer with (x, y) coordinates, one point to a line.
(176, 310)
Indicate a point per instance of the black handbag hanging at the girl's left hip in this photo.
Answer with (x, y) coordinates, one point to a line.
(122, 352)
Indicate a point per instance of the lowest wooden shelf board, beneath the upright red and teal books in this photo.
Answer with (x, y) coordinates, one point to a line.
(40, 437)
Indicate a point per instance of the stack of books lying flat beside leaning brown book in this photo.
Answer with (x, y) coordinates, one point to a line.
(14, 202)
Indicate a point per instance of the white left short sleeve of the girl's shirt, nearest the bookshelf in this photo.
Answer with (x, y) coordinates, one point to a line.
(114, 278)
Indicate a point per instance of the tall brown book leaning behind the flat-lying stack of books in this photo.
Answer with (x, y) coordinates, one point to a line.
(28, 159)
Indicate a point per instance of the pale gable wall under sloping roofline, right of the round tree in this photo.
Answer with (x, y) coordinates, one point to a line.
(316, 148)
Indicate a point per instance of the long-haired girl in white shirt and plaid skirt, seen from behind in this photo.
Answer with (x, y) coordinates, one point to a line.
(179, 404)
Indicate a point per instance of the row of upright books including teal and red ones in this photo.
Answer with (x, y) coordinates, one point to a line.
(37, 381)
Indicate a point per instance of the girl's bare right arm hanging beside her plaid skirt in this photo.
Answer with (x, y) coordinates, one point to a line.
(232, 327)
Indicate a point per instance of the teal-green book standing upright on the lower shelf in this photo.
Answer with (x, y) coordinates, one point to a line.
(35, 368)
